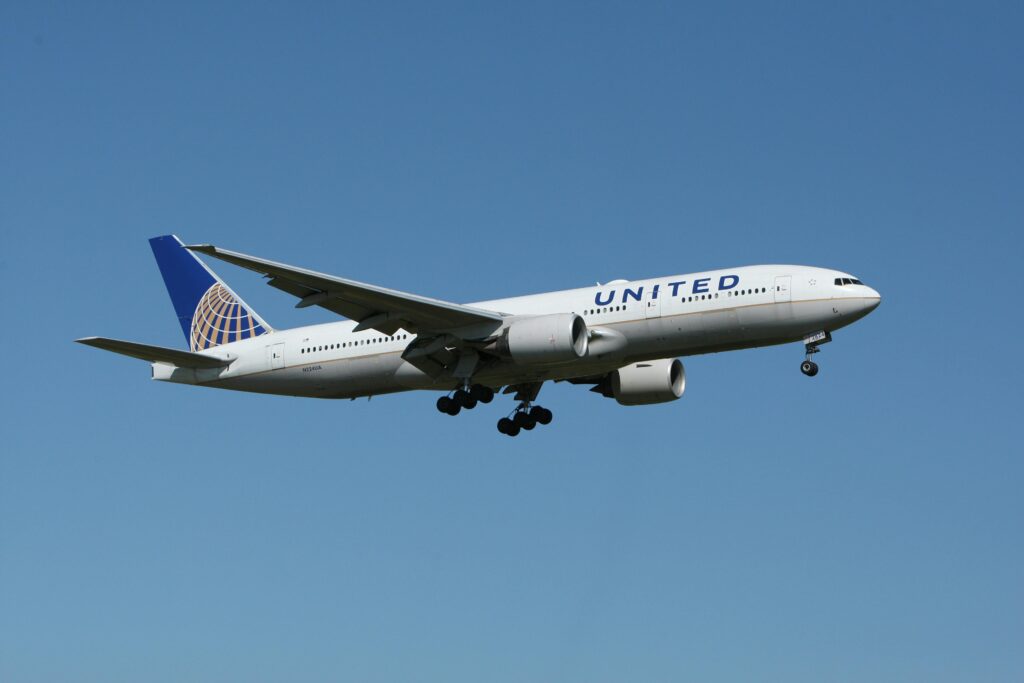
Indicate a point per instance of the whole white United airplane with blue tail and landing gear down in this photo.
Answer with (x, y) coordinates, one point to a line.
(623, 338)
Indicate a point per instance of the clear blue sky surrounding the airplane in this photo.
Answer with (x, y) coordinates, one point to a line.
(863, 526)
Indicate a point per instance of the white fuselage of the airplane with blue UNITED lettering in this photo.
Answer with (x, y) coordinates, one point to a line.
(630, 322)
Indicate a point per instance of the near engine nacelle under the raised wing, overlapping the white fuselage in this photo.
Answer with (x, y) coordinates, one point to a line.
(545, 339)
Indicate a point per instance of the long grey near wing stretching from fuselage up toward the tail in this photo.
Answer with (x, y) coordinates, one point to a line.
(374, 308)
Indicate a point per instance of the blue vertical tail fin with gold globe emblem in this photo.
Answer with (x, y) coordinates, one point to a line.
(210, 314)
